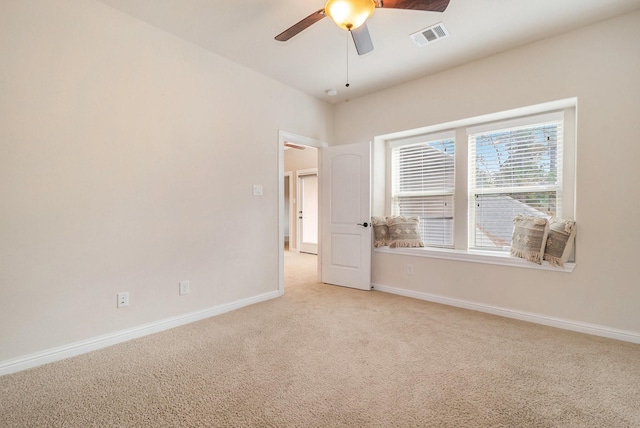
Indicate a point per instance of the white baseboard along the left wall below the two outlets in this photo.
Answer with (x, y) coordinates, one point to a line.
(78, 348)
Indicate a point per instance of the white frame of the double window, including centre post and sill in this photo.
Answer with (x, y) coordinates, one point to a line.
(381, 197)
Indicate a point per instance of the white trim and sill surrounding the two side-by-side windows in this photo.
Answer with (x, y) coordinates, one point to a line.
(460, 253)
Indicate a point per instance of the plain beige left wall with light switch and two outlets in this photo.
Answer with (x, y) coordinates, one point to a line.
(120, 148)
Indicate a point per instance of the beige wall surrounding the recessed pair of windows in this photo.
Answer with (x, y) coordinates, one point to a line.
(600, 66)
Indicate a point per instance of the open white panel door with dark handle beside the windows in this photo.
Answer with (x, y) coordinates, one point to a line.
(346, 231)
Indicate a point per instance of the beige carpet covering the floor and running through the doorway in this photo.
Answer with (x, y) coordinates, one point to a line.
(324, 356)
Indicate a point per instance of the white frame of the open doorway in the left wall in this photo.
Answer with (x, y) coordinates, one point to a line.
(284, 136)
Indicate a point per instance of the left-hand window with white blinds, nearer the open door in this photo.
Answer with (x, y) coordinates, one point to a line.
(423, 186)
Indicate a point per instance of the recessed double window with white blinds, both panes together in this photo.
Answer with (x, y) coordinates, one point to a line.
(467, 180)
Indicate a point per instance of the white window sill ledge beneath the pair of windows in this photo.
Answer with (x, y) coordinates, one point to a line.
(474, 257)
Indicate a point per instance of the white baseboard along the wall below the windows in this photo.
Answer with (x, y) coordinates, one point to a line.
(596, 330)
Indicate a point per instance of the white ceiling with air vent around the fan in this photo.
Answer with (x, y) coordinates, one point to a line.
(316, 59)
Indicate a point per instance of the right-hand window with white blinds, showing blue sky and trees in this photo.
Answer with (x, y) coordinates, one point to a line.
(514, 168)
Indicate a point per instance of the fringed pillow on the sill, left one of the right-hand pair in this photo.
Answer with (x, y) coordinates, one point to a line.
(529, 237)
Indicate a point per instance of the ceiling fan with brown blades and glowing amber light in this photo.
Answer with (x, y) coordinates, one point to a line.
(351, 15)
